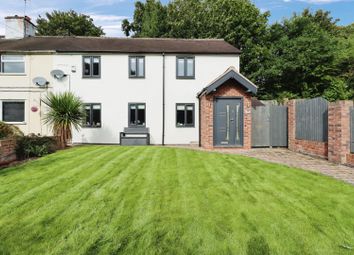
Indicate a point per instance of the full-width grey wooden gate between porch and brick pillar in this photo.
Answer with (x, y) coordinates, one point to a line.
(269, 124)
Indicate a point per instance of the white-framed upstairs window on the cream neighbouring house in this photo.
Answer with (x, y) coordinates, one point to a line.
(12, 64)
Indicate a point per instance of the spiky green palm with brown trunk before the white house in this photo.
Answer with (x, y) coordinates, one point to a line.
(65, 111)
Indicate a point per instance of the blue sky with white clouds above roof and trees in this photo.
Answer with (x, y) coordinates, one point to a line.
(109, 13)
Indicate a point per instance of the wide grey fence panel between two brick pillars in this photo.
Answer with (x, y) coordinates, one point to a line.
(312, 119)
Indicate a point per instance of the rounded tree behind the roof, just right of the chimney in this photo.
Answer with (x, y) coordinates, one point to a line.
(70, 23)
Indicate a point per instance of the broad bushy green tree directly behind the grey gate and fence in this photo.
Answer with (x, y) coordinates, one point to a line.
(302, 57)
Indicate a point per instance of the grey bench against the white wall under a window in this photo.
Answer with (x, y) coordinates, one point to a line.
(135, 136)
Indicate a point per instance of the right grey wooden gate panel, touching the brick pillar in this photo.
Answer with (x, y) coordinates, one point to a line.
(279, 125)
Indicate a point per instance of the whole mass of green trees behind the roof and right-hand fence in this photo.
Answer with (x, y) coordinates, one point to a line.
(306, 55)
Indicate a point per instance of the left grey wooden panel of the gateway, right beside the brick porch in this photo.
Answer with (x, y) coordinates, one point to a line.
(260, 126)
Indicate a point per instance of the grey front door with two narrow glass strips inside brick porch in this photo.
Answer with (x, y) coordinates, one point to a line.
(228, 122)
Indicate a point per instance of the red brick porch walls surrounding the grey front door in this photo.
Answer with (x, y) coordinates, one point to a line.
(229, 89)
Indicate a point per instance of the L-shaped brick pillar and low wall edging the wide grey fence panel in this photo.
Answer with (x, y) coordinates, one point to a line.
(314, 148)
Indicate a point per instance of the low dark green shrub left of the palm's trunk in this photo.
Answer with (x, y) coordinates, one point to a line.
(35, 146)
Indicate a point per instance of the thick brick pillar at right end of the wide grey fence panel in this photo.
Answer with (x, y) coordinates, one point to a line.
(339, 131)
